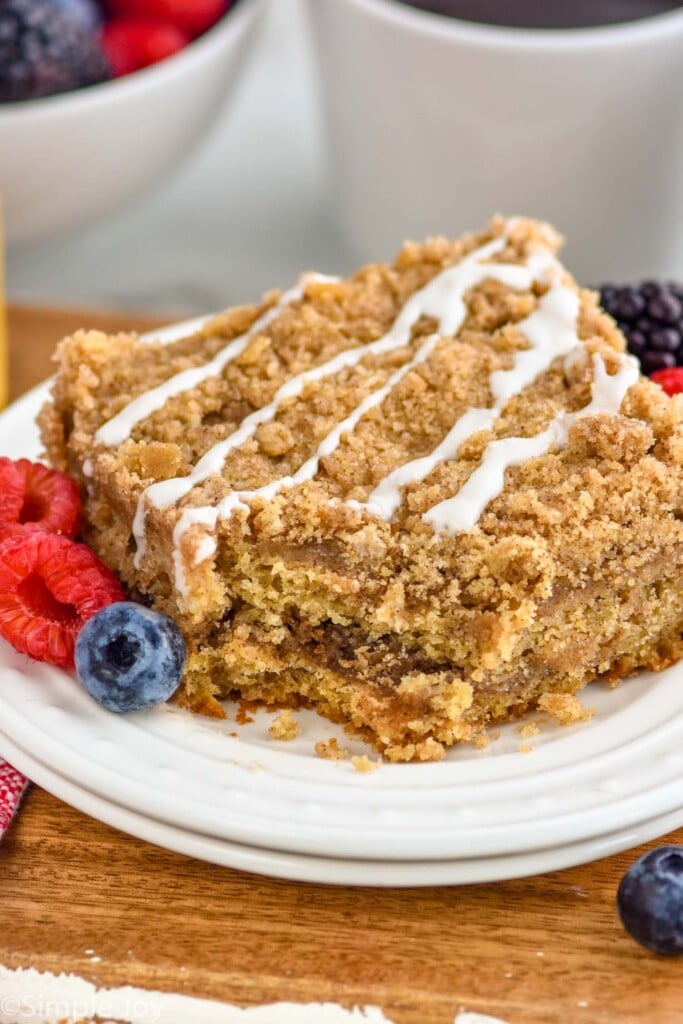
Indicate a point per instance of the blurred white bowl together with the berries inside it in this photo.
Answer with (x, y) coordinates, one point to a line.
(99, 102)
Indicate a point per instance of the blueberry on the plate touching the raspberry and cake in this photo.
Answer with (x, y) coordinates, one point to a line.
(130, 657)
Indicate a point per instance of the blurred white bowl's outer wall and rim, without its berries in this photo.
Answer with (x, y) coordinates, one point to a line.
(74, 158)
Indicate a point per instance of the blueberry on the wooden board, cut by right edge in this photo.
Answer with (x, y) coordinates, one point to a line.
(650, 901)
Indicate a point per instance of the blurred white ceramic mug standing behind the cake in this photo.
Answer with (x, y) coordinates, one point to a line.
(436, 124)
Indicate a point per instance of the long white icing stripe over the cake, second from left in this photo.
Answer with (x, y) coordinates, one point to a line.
(443, 300)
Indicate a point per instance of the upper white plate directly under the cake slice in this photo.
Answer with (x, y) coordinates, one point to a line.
(613, 775)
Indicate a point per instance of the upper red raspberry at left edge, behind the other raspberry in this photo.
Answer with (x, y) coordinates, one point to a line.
(32, 496)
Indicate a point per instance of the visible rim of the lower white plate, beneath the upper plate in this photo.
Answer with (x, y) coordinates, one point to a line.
(333, 871)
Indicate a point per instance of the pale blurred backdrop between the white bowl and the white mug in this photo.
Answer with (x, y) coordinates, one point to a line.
(247, 212)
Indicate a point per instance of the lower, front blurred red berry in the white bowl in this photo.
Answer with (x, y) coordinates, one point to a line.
(134, 44)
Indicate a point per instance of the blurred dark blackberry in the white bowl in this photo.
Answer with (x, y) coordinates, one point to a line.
(47, 48)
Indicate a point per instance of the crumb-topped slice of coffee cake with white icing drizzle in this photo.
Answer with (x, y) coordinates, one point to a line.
(419, 500)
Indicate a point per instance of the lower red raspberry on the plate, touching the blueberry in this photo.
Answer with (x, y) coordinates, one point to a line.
(50, 588)
